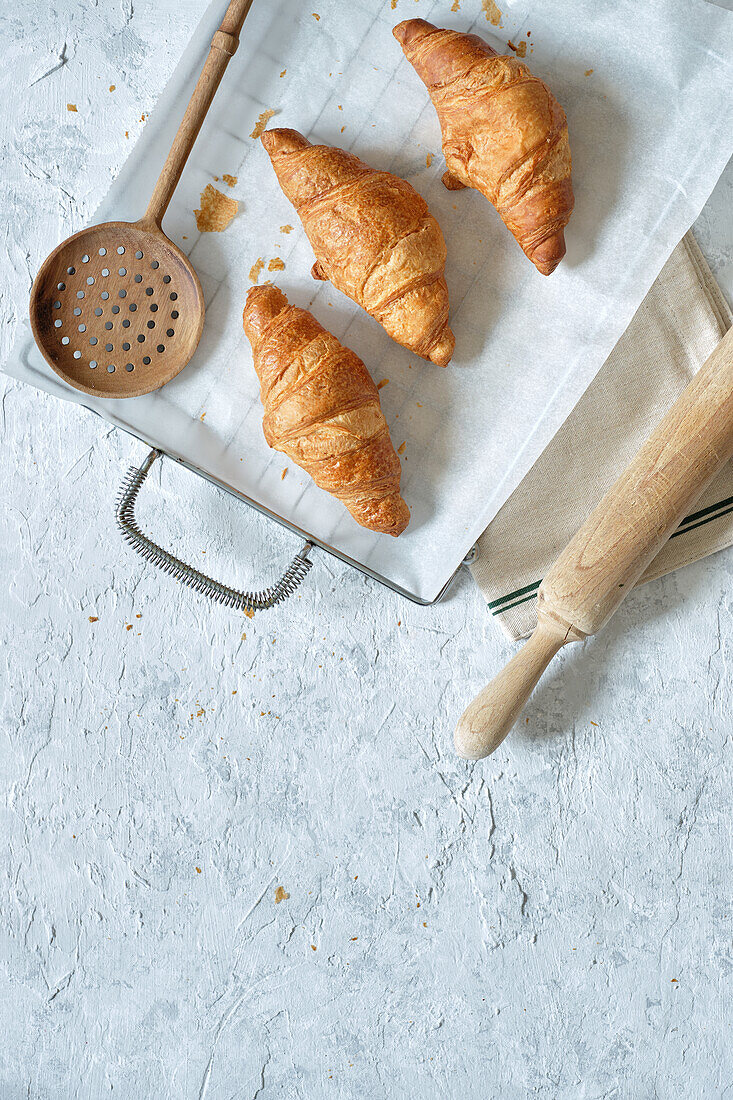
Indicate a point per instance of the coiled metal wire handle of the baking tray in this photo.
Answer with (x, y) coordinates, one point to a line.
(125, 514)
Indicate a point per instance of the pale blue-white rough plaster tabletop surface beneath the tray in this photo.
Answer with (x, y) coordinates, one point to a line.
(562, 886)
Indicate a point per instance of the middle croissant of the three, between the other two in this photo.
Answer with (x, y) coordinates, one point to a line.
(374, 237)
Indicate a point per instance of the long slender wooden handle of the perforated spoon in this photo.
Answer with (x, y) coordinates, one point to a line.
(224, 47)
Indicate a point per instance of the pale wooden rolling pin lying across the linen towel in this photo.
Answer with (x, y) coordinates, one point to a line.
(615, 546)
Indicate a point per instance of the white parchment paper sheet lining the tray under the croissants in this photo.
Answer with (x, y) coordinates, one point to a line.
(648, 91)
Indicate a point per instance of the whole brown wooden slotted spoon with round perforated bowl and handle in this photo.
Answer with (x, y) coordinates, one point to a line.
(118, 310)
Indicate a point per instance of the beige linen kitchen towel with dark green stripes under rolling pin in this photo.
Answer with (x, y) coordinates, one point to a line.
(677, 326)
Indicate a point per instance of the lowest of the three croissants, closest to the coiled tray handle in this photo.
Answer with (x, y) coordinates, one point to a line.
(323, 411)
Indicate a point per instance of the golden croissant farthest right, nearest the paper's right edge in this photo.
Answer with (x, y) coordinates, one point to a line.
(504, 133)
